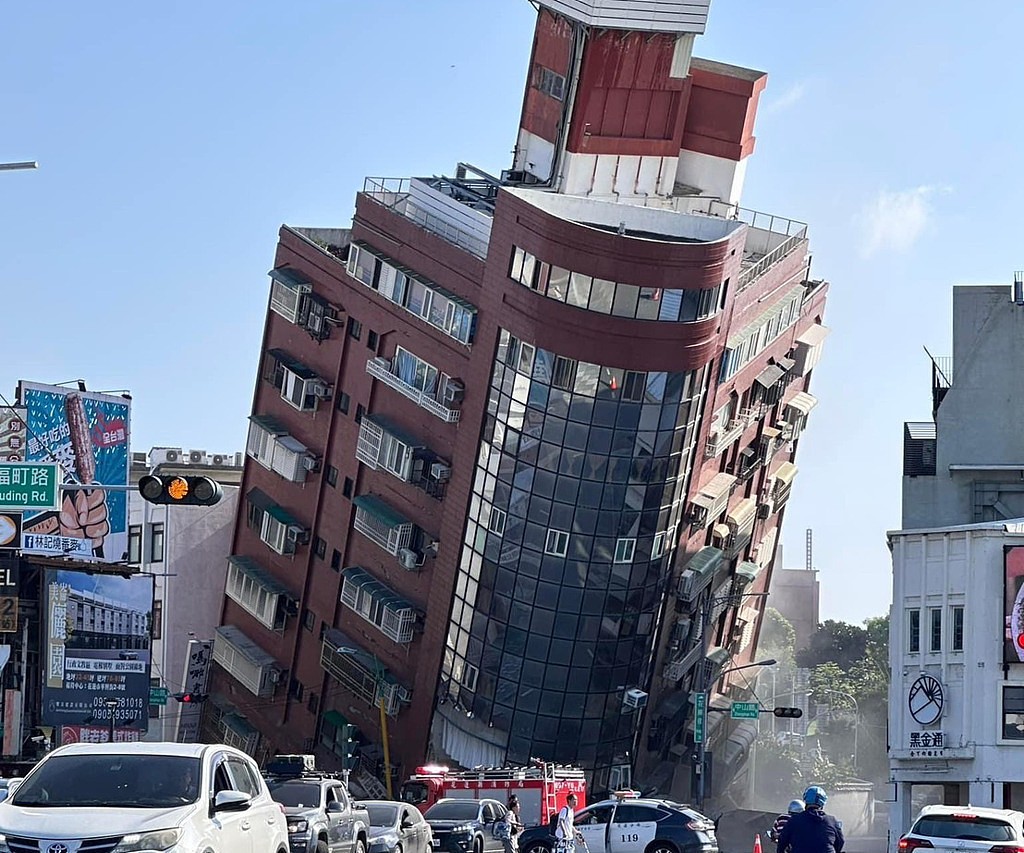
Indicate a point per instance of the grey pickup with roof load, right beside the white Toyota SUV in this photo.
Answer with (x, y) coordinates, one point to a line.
(322, 818)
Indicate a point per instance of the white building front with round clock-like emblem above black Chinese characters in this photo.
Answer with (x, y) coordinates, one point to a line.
(956, 711)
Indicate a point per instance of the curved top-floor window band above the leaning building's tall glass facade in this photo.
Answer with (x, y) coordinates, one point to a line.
(605, 297)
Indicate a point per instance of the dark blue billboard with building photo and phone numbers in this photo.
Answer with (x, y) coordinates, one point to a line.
(98, 650)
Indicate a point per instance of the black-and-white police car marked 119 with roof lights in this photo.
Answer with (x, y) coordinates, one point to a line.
(627, 824)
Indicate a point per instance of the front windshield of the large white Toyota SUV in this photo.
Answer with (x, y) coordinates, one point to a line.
(124, 782)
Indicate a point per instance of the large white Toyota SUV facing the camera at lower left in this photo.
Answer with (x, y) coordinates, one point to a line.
(123, 798)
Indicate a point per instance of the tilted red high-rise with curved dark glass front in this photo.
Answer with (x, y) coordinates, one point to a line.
(513, 437)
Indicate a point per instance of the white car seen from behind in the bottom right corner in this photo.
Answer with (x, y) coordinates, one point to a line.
(965, 830)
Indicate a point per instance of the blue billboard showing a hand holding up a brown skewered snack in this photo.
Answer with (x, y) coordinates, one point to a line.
(88, 436)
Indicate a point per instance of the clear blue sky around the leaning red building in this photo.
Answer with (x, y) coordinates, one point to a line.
(175, 142)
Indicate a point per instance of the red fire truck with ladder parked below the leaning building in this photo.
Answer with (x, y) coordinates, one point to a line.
(542, 788)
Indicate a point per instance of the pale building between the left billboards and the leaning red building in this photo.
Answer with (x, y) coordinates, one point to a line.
(186, 549)
